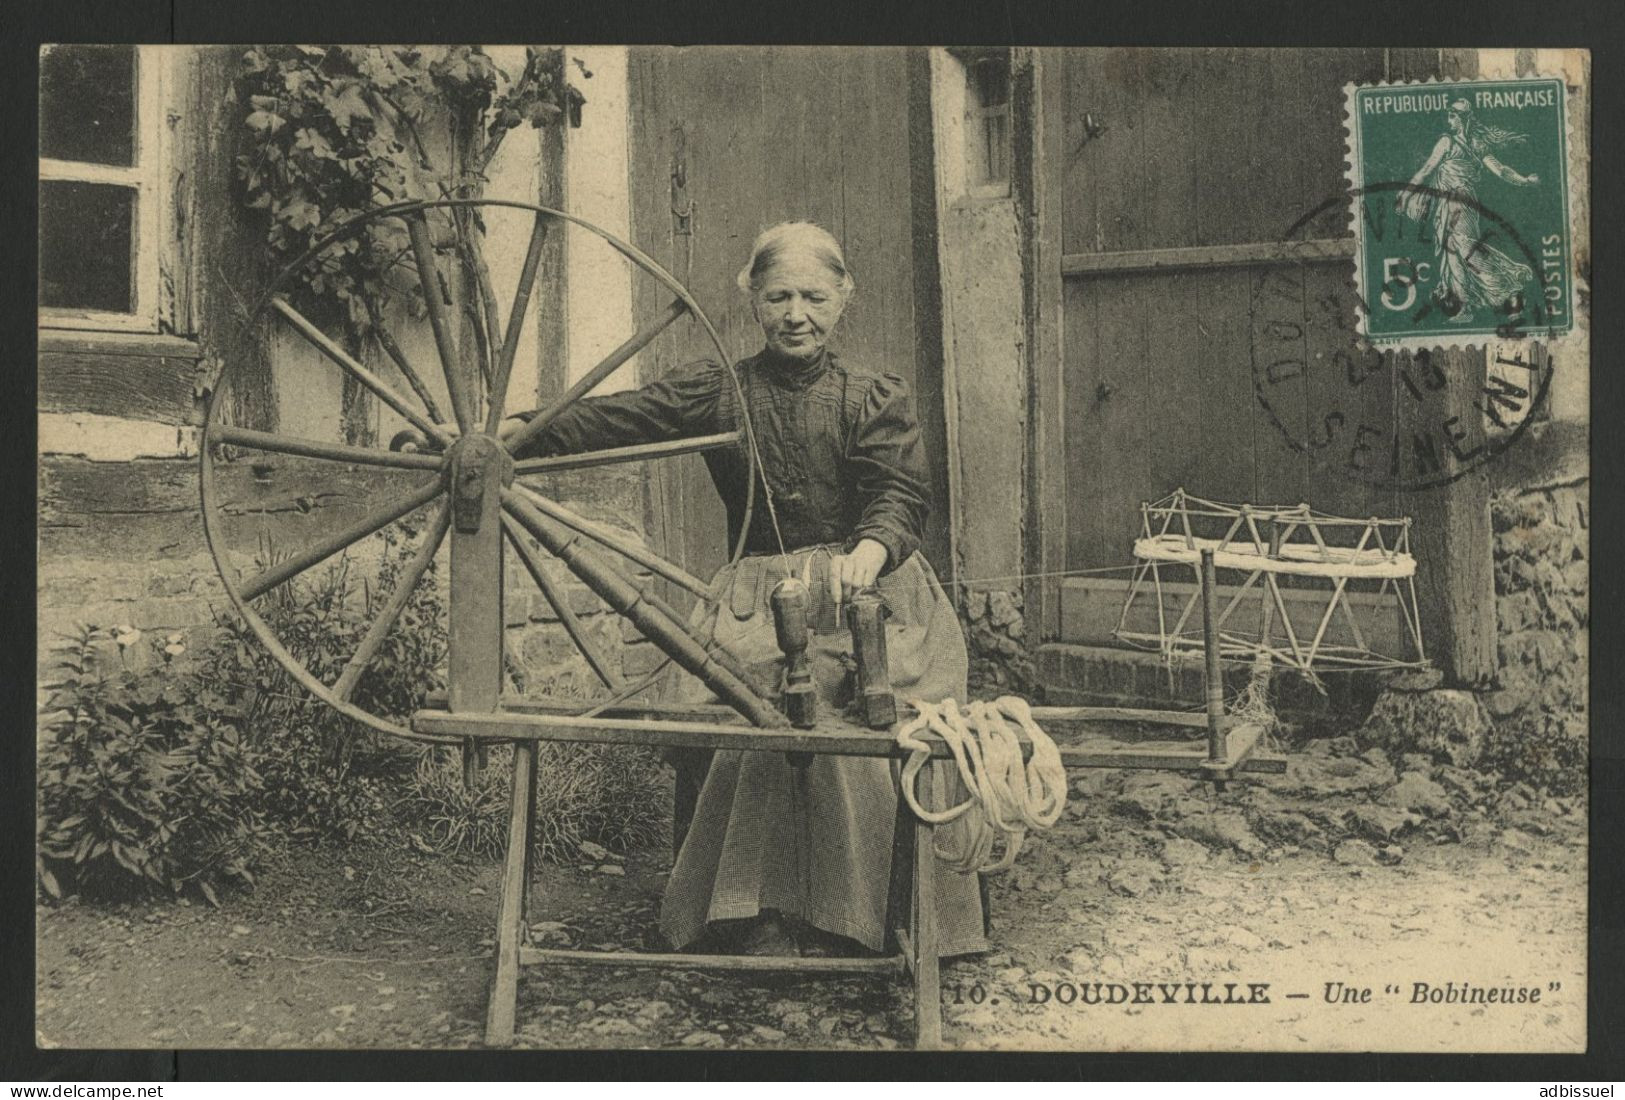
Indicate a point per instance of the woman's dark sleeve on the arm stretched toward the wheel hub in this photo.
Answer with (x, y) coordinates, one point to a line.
(685, 402)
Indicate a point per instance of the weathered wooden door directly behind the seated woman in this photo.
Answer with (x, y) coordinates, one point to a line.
(727, 142)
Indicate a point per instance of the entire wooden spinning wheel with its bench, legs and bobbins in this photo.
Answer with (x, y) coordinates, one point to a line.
(466, 475)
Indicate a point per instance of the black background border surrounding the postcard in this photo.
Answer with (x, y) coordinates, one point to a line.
(1502, 24)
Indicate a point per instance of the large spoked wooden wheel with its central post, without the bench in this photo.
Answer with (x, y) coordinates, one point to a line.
(464, 479)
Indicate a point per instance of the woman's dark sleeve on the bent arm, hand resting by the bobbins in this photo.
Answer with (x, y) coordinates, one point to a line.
(888, 462)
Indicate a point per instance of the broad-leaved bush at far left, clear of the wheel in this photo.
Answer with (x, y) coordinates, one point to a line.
(144, 779)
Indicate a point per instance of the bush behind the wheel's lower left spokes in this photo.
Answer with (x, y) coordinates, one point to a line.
(314, 781)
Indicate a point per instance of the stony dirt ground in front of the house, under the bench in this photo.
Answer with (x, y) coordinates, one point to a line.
(1353, 878)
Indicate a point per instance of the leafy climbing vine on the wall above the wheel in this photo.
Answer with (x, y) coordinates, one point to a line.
(337, 131)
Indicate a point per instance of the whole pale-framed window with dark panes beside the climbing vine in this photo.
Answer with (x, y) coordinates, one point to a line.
(100, 188)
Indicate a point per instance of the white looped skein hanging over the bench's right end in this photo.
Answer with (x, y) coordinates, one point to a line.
(1007, 795)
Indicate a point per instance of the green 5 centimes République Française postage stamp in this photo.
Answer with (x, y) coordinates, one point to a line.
(1462, 212)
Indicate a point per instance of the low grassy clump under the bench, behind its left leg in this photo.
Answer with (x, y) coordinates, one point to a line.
(604, 794)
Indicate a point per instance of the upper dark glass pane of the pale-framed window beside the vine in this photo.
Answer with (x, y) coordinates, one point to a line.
(87, 105)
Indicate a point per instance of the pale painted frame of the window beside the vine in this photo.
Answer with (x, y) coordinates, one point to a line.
(150, 181)
